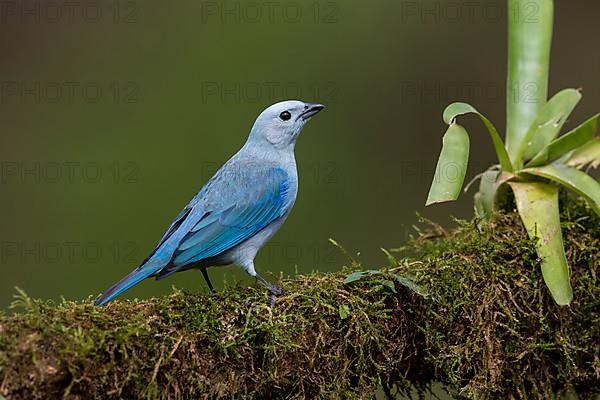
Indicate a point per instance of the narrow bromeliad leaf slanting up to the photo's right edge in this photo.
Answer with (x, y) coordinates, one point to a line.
(567, 142)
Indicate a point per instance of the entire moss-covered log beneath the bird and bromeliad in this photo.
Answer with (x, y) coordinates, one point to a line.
(487, 329)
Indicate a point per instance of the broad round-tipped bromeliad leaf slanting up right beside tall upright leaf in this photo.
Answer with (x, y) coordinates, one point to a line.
(548, 123)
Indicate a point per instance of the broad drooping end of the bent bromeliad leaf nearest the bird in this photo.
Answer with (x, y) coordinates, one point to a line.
(451, 167)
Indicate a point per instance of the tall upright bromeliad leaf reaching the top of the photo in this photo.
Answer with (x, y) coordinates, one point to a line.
(529, 40)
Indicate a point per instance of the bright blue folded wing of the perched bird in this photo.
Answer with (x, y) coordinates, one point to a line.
(254, 206)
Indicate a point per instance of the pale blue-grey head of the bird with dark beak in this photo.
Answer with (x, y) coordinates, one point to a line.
(280, 124)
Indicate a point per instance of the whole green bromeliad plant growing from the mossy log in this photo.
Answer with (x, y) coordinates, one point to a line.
(535, 161)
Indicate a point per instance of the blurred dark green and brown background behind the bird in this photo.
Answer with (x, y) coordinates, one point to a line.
(114, 114)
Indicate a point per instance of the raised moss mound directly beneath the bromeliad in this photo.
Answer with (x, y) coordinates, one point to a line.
(492, 328)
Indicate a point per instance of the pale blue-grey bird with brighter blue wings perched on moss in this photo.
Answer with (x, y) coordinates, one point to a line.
(238, 210)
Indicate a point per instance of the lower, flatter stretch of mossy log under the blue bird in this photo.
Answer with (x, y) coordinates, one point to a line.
(187, 345)
